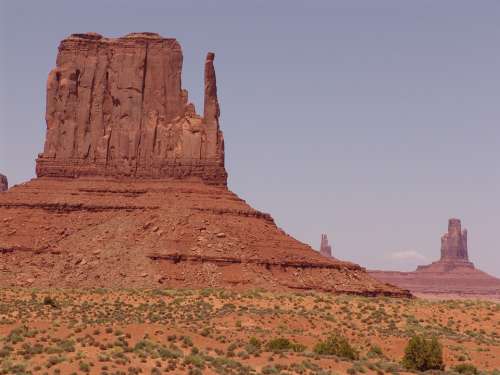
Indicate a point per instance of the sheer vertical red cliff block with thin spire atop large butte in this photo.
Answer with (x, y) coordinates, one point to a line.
(116, 107)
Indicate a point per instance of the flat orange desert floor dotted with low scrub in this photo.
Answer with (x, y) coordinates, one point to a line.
(212, 331)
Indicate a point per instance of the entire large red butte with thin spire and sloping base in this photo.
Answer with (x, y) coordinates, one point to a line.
(131, 188)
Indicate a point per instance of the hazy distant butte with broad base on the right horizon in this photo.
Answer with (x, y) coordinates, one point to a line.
(452, 274)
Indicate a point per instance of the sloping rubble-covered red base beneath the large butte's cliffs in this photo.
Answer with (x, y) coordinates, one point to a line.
(94, 232)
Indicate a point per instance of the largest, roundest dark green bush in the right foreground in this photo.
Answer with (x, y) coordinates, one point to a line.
(423, 354)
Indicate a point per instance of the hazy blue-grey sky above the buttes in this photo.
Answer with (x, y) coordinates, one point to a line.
(371, 121)
